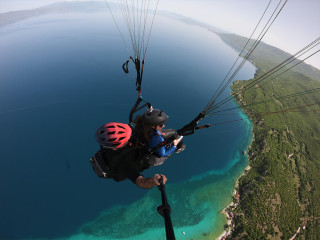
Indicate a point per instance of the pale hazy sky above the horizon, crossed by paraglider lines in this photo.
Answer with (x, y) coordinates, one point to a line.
(297, 25)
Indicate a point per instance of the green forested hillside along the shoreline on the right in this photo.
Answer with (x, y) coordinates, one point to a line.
(280, 195)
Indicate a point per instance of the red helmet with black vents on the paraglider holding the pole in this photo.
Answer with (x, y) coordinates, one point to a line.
(113, 135)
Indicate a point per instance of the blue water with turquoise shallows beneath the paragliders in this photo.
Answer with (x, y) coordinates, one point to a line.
(61, 78)
